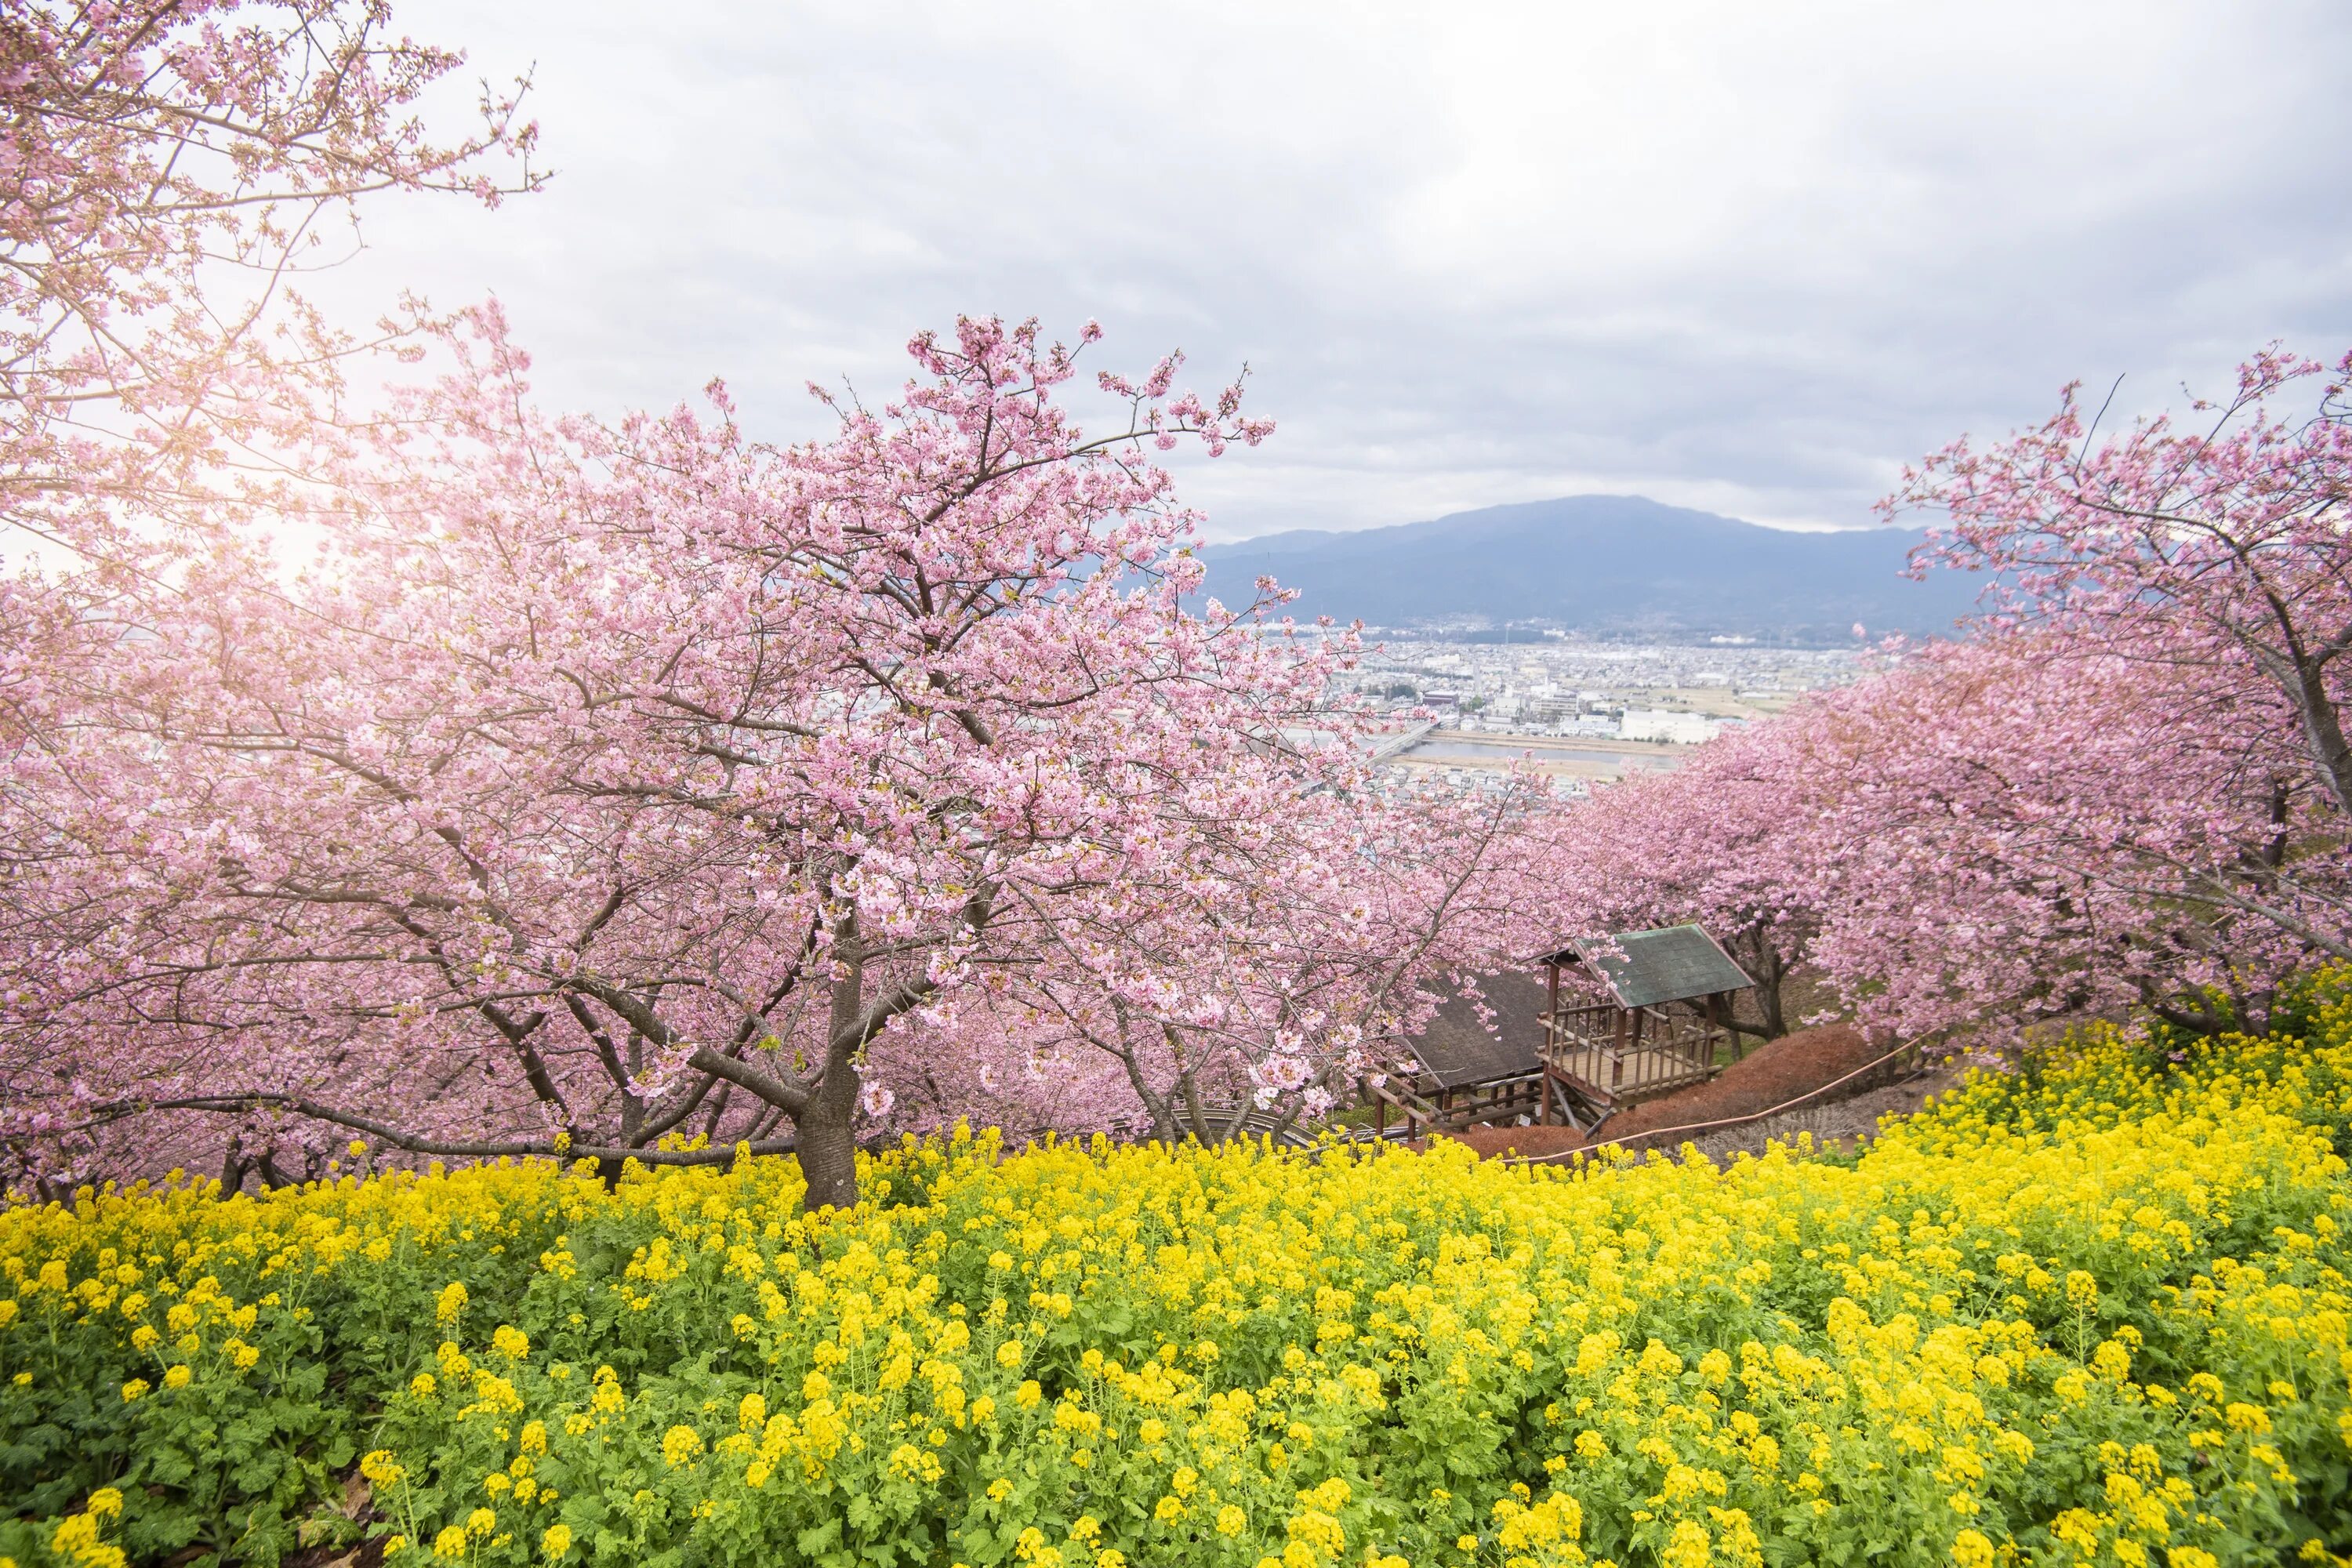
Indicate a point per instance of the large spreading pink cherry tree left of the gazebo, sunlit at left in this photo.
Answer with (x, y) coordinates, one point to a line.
(601, 786)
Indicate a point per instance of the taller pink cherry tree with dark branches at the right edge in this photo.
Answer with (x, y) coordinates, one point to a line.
(2186, 589)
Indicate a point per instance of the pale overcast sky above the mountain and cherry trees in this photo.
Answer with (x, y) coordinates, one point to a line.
(1723, 255)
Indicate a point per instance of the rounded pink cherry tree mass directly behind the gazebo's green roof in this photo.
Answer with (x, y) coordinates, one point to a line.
(1984, 833)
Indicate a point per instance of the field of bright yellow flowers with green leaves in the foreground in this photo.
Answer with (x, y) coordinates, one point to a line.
(2087, 1315)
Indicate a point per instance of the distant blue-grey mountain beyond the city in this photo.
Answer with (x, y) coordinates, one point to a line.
(1612, 565)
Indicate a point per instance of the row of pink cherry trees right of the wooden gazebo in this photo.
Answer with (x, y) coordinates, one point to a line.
(2127, 786)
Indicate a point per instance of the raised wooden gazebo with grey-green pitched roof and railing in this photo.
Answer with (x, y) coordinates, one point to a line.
(1657, 1024)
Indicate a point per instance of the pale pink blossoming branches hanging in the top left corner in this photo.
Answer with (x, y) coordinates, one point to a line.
(168, 170)
